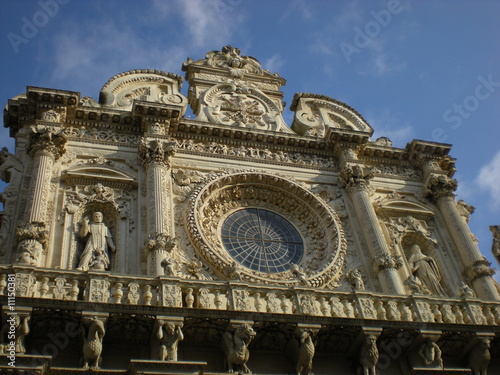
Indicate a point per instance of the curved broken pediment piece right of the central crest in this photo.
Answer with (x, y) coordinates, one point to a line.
(315, 114)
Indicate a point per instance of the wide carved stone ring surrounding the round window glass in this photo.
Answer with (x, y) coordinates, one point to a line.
(318, 225)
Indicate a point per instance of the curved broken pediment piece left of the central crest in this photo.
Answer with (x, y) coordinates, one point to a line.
(145, 85)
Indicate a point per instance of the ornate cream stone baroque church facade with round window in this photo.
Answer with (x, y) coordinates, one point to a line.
(135, 240)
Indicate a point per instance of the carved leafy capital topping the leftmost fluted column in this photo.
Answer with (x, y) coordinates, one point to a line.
(47, 140)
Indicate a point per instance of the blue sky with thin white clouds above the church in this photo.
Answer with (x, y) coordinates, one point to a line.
(414, 69)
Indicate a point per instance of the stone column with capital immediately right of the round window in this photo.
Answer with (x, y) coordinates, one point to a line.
(354, 178)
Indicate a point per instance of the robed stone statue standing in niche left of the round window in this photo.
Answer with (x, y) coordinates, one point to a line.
(95, 255)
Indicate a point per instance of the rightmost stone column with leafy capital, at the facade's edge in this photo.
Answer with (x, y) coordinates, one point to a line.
(439, 189)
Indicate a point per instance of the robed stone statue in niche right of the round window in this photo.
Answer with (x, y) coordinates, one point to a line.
(426, 270)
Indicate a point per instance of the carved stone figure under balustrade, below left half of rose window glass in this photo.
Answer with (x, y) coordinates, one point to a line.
(235, 347)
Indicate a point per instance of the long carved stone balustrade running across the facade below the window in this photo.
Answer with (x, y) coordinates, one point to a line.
(104, 287)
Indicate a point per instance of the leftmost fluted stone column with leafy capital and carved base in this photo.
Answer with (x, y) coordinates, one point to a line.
(46, 146)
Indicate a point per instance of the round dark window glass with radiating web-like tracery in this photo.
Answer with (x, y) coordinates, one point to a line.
(262, 240)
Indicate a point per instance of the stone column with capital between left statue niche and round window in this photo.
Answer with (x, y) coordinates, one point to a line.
(156, 154)
